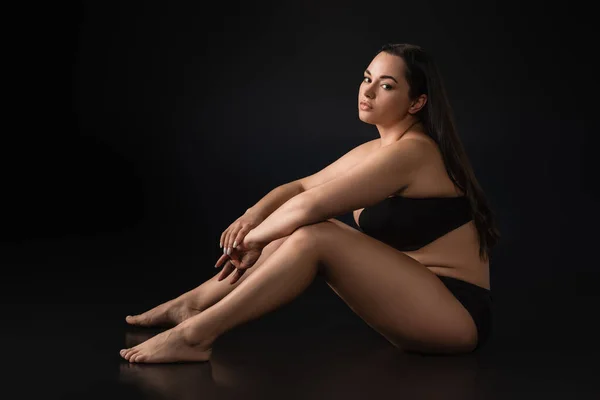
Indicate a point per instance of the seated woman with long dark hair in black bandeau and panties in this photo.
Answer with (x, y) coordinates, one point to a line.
(417, 271)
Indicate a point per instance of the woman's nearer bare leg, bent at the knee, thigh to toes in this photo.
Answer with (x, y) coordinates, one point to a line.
(393, 293)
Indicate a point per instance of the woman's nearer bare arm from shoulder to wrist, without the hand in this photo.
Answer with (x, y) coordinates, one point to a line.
(382, 173)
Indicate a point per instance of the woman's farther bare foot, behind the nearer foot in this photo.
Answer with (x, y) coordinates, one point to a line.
(167, 314)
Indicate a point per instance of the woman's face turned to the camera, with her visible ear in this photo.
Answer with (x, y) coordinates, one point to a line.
(386, 91)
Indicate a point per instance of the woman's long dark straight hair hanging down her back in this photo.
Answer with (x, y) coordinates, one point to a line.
(423, 77)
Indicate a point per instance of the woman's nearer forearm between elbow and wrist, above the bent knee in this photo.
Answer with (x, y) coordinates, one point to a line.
(282, 222)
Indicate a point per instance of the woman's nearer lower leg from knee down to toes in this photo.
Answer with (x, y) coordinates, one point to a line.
(282, 277)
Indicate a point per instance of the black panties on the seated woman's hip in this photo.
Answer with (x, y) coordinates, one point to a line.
(478, 302)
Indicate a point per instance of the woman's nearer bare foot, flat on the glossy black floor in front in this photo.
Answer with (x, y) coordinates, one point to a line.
(167, 347)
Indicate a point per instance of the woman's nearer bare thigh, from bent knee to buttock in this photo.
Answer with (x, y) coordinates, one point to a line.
(392, 292)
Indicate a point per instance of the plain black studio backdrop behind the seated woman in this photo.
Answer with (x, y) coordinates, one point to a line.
(136, 133)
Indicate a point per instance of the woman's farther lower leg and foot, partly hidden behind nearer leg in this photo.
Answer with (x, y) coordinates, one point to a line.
(198, 299)
